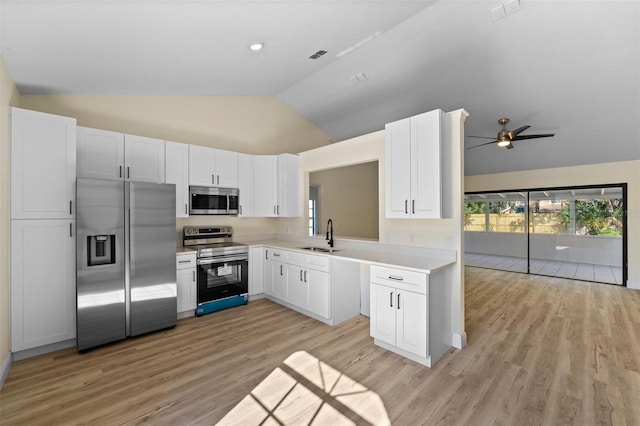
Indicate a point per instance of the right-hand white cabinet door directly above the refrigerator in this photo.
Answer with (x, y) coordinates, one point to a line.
(144, 159)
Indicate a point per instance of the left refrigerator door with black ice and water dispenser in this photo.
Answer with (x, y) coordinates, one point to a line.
(100, 283)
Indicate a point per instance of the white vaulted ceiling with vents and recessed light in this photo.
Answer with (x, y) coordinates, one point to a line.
(567, 67)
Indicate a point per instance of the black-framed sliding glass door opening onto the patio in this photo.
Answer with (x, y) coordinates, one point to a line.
(576, 232)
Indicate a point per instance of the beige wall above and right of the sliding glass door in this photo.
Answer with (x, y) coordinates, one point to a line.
(593, 174)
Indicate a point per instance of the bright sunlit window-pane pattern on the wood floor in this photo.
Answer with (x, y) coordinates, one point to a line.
(305, 390)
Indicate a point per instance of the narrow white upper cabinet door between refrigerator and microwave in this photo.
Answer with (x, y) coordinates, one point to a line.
(177, 172)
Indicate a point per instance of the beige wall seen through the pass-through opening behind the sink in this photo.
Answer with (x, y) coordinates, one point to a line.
(349, 196)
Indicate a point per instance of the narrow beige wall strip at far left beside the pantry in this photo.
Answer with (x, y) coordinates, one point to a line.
(8, 96)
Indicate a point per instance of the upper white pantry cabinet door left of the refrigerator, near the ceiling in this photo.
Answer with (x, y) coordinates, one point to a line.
(43, 165)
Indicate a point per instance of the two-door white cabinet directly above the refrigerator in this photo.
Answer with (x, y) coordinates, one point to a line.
(103, 154)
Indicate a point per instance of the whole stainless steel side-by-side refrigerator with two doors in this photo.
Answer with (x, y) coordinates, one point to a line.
(126, 260)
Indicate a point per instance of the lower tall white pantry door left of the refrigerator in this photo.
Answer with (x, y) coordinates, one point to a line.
(43, 282)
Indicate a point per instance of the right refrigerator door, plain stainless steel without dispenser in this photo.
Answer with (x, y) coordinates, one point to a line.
(152, 257)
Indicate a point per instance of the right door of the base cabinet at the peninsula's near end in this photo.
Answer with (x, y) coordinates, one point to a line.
(411, 322)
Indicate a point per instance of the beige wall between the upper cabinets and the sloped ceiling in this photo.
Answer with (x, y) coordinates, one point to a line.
(252, 125)
